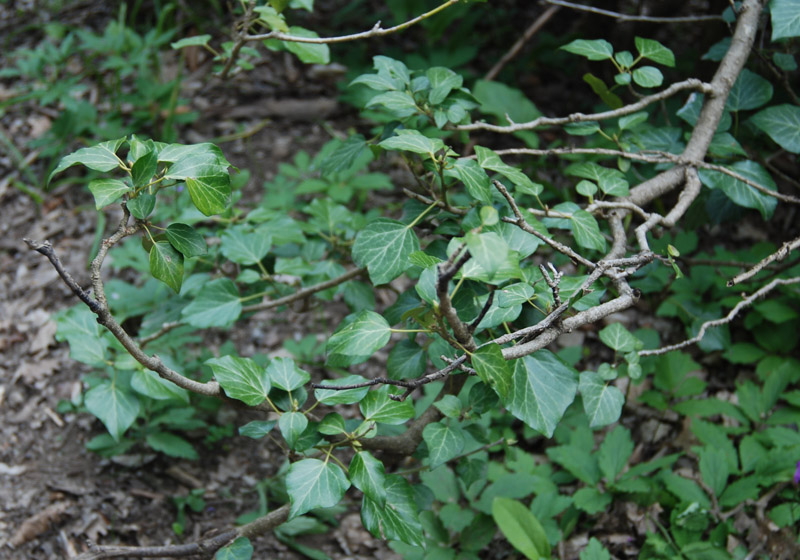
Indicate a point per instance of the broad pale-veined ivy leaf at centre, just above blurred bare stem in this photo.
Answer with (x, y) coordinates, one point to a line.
(383, 247)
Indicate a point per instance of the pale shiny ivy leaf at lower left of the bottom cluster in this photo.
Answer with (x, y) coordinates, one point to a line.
(313, 484)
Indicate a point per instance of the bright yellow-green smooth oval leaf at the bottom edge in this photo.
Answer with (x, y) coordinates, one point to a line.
(521, 528)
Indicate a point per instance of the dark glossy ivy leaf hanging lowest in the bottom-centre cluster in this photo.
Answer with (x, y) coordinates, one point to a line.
(397, 520)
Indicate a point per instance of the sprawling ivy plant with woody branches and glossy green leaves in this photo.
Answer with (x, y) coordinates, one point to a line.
(486, 298)
